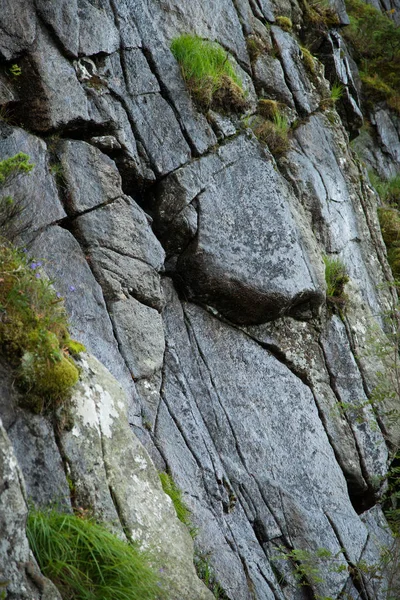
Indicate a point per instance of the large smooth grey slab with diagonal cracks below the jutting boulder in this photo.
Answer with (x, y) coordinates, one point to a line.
(247, 428)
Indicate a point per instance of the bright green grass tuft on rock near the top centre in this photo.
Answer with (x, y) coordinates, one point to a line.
(208, 73)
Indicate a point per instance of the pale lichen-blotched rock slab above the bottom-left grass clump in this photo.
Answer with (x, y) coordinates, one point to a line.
(127, 478)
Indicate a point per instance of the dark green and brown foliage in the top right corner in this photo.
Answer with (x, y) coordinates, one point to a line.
(375, 39)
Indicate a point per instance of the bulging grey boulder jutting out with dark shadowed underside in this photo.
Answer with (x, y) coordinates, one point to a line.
(246, 258)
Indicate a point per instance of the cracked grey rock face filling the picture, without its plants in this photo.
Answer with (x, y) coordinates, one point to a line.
(191, 260)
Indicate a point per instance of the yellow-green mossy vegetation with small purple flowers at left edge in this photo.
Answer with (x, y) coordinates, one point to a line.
(33, 323)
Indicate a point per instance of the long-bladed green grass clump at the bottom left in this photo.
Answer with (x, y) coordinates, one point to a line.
(87, 562)
